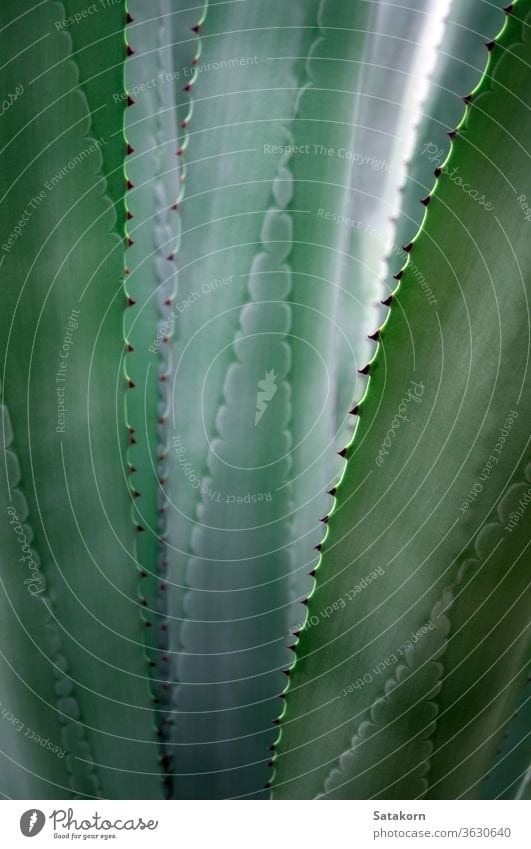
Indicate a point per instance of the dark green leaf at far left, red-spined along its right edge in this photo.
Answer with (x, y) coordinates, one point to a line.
(61, 333)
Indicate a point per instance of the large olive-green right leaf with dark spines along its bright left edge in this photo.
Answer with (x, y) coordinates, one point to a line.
(417, 500)
